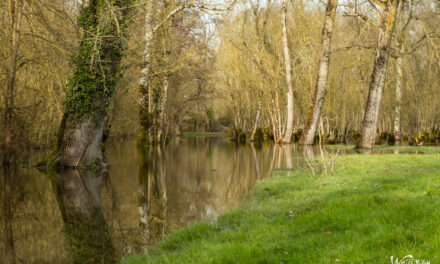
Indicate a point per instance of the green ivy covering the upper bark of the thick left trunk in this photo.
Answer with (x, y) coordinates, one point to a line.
(97, 60)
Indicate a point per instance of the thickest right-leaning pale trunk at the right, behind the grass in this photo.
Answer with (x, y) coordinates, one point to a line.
(377, 82)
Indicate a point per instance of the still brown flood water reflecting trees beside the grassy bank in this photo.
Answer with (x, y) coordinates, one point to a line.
(98, 217)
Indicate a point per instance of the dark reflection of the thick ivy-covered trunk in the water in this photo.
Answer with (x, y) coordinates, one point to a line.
(86, 231)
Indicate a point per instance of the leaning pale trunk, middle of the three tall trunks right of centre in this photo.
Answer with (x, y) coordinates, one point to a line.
(308, 135)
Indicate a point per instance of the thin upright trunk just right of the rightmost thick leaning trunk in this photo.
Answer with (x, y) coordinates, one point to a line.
(399, 88)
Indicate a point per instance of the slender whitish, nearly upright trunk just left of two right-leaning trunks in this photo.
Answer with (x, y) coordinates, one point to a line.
(289, 127)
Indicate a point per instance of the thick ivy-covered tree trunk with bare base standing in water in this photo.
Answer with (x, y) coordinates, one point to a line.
(96, 66)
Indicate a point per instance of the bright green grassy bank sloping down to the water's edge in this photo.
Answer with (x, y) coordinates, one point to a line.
(373, 207)
